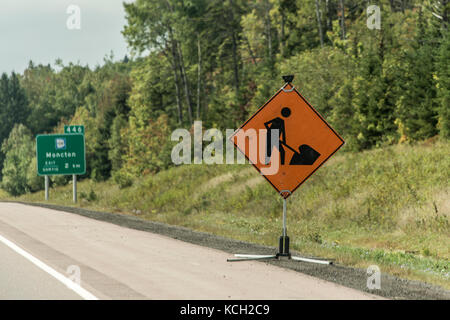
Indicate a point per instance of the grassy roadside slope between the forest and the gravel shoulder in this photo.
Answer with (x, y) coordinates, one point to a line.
(389, 207)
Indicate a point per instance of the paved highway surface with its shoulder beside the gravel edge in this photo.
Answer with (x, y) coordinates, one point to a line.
(121, 263)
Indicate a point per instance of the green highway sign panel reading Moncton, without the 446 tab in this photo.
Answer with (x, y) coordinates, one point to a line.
(60, 154)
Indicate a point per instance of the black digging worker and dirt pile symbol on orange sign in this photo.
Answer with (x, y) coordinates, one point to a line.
(306, 154)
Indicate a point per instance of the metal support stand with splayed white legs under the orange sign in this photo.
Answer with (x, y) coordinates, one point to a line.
(283, 249)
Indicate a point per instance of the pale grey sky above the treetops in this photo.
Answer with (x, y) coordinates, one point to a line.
(37, 30)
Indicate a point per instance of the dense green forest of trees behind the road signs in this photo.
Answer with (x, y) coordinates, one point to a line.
(218, 62)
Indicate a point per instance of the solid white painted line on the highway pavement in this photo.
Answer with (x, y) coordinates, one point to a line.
(69, 283)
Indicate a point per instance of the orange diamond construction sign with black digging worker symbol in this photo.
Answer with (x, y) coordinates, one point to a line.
(301, 142)
